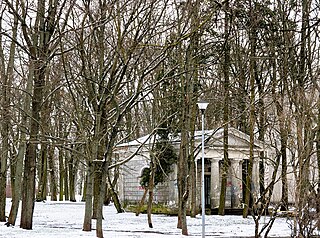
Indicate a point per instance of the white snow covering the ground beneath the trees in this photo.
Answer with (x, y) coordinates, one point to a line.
(64, 219)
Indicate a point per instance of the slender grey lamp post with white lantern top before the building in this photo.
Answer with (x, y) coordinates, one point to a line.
(202, 106)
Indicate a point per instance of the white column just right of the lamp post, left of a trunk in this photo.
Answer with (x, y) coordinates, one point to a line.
(215, 183)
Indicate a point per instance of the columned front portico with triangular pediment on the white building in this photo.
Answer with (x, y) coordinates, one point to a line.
(238, 161)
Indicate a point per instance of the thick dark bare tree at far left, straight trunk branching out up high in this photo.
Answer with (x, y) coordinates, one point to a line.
(41, 47)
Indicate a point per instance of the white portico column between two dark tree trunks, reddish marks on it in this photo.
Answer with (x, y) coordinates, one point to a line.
(236, 182)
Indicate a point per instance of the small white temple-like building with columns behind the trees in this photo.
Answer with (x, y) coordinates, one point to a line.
(130, 190)
